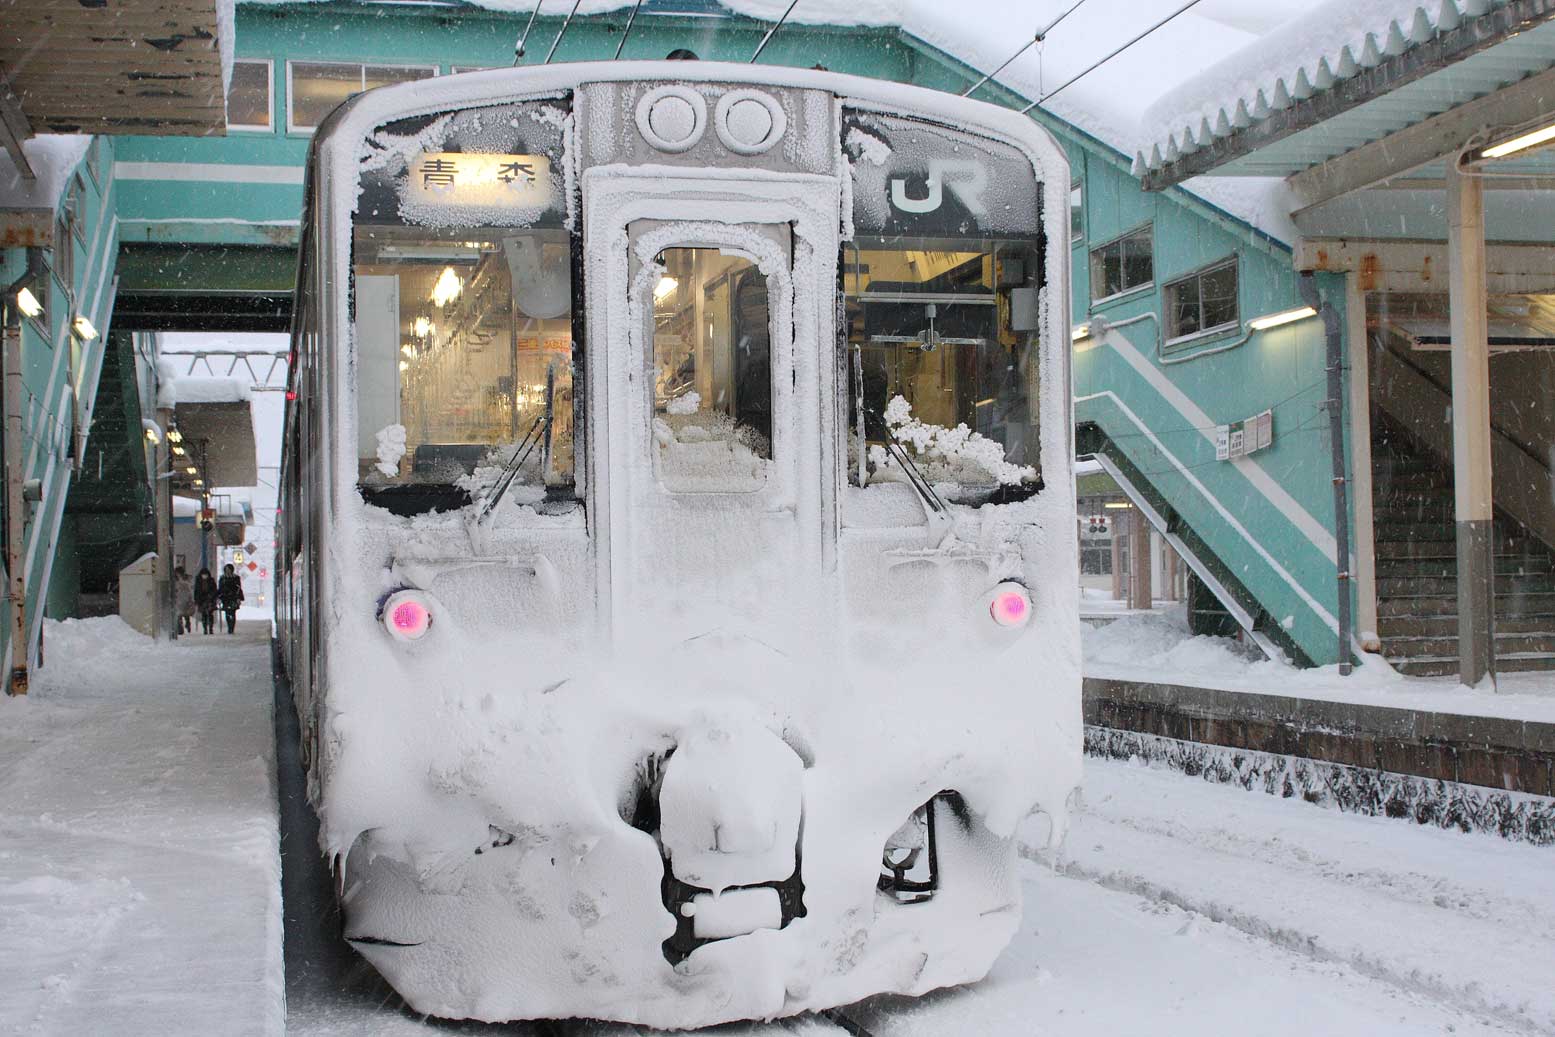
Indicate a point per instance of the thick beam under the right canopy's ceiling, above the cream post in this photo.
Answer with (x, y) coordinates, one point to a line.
(1422, 144)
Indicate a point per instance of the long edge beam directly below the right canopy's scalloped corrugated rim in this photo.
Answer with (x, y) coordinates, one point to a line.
(1442, 51)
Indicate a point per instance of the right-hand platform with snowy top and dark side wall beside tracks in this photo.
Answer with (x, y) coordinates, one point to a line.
(1372, 742)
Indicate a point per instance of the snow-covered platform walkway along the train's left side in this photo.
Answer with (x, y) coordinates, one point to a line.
(139, 873)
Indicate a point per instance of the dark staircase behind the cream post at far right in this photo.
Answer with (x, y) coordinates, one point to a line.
(1417, 567)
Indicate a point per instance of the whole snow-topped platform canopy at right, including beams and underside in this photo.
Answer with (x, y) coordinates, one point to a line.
(1360, 106)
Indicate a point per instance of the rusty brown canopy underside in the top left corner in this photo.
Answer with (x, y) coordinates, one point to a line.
(113, 68)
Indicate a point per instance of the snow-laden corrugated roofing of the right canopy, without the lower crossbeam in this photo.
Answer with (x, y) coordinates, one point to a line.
(1419, 61)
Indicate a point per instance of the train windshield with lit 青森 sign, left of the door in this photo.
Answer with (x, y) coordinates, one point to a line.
(463, 292)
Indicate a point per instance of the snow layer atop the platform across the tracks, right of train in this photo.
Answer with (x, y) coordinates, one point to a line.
(1159, 649)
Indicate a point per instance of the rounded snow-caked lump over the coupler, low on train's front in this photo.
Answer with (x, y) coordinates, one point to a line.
(730, 806)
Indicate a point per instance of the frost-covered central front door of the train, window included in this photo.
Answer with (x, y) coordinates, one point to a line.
(711, 463)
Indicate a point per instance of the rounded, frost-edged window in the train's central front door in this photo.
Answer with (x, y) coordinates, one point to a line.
(711, 368)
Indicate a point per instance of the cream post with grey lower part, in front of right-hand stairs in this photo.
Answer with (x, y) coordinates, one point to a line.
(1472, 478)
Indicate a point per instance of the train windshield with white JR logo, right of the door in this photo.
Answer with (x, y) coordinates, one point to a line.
(943, 287)
